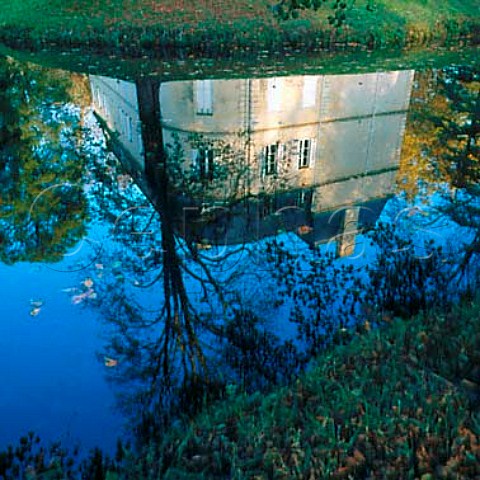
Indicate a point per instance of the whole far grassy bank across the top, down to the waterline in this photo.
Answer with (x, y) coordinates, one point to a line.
(167, 28)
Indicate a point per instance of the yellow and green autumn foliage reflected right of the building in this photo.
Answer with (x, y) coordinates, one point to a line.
(443, 120)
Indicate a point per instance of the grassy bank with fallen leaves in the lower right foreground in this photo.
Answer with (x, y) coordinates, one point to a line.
(396, 403)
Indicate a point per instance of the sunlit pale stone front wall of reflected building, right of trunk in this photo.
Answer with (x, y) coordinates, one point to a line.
(356, 122)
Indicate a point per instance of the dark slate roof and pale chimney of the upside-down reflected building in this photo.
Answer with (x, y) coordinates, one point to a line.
(267, 216)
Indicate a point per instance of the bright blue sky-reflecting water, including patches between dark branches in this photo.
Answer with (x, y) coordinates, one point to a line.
(54, 335)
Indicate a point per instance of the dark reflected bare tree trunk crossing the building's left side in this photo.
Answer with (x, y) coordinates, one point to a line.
(179, 314)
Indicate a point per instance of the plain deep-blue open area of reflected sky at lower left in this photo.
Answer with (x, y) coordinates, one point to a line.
(51, 380)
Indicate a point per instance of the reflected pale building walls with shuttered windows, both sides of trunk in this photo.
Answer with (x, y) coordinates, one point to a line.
(331, 141)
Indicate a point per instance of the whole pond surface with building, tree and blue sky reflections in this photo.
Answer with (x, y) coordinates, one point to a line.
(154, 233)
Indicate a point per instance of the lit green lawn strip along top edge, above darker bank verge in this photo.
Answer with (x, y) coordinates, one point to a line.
(174, 13)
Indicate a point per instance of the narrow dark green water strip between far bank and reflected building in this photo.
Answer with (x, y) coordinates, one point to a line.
(331, 63)
